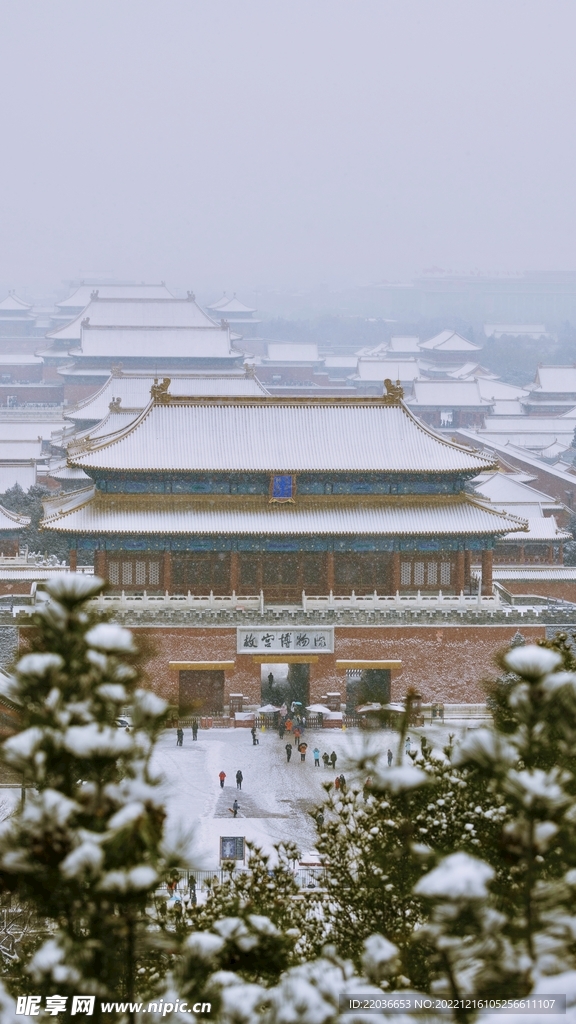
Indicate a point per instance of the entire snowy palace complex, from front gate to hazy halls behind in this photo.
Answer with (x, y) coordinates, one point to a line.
(397, 514)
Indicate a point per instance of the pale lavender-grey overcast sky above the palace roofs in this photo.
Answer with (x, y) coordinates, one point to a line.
(281, 144)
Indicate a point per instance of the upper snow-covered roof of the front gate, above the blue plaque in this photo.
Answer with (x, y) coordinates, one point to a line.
(279, 435)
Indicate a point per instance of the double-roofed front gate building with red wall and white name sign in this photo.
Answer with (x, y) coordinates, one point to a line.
(243, 531)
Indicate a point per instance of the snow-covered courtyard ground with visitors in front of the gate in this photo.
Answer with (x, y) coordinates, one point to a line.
(276, 798)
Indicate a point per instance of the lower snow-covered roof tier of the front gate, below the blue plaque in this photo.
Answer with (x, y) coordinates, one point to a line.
(90, 511)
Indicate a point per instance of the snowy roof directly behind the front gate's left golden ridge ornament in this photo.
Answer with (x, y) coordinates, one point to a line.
(134, 393)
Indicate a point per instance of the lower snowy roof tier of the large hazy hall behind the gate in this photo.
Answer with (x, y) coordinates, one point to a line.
(156, 344)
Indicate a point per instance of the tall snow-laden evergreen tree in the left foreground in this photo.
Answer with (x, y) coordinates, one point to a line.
(86, 850)
